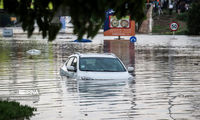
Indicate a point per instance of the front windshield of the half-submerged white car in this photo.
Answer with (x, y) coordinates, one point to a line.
(101, 64)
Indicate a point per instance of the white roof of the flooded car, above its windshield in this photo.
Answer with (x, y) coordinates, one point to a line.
(107, 55)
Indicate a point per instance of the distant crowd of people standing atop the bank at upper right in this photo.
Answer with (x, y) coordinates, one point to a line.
(180, 6)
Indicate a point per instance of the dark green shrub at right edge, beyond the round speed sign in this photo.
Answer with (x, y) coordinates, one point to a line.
(193, 23)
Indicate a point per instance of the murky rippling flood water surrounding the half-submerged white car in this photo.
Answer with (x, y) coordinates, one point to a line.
(166, 84)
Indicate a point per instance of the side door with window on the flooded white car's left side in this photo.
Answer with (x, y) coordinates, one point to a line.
(71, 62)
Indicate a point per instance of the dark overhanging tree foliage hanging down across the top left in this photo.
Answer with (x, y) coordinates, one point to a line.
(87, 15)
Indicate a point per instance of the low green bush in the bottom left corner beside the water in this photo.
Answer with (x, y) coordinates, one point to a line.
(13, 110)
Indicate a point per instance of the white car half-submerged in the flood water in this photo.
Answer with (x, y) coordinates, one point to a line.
(88, 66)
